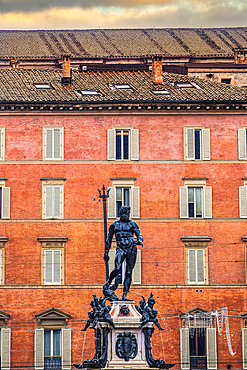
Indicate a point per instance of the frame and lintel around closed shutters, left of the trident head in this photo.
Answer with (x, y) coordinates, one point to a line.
(53, 183)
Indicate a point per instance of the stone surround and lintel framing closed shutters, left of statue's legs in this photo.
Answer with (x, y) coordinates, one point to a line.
(52, 243)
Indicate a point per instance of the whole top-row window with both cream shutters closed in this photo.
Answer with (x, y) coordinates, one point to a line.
(53, 143)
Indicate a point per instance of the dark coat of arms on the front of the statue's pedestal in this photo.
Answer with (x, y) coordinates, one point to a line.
(126, 346)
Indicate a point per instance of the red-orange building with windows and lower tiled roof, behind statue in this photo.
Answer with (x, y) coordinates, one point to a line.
(176, 153)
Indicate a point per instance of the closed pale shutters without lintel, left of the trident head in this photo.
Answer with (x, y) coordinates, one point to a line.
(53, 199)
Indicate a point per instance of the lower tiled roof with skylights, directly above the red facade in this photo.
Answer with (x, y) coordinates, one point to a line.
(18, 85)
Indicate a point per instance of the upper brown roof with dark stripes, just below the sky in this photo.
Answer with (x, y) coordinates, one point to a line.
(122, 42)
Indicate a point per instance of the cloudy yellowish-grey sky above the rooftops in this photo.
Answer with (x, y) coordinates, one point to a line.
(83, 14)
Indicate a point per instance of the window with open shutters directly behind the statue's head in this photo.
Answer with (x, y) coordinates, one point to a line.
(124, 196)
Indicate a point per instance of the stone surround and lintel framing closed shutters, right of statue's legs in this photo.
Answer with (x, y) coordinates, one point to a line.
(195, 242)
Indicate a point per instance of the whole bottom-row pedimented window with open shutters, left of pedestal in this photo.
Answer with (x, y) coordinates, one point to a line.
(52, 340)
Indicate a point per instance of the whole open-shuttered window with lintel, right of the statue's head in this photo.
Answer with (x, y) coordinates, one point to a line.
(195, 198)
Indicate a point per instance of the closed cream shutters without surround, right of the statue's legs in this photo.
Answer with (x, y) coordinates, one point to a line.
(196, 266)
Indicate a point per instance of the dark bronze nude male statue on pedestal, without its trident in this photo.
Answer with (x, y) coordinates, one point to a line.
(124, 230)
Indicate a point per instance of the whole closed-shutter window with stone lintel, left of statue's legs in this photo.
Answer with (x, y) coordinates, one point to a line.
(52, 260)
